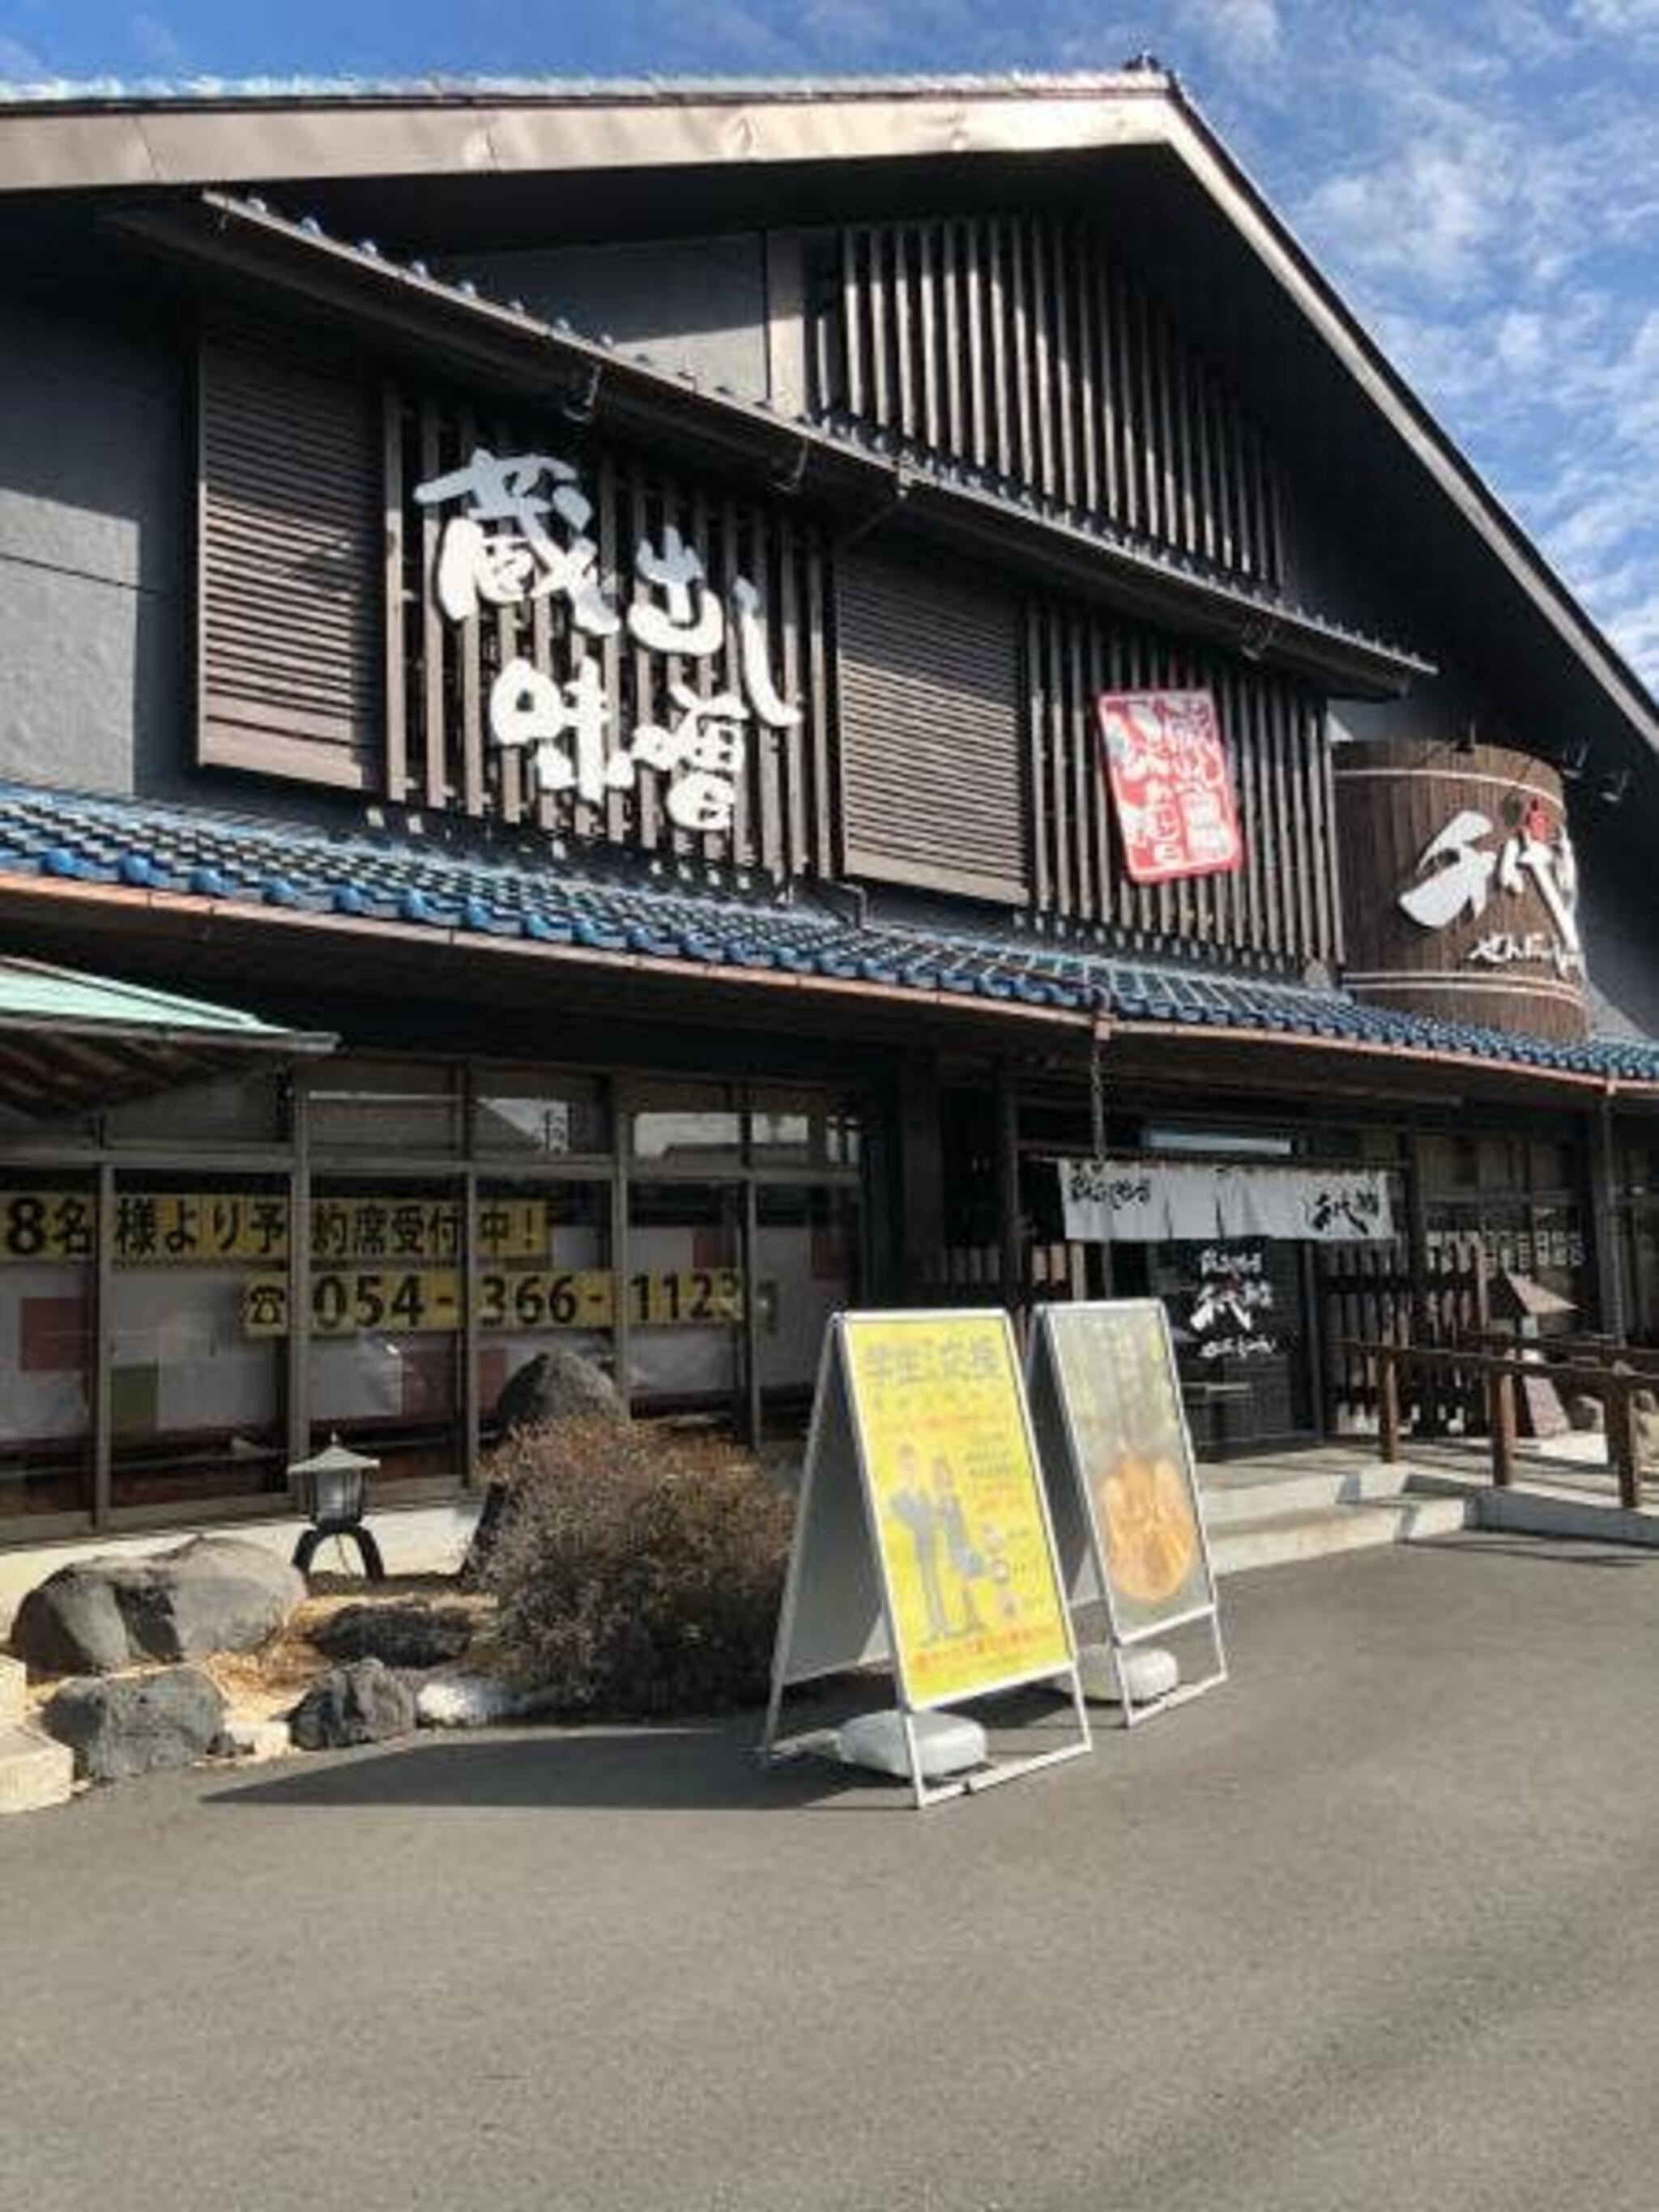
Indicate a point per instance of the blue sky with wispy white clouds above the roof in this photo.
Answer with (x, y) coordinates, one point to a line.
(1481, 178)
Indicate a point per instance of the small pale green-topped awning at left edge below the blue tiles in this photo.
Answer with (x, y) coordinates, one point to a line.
(72, 1041)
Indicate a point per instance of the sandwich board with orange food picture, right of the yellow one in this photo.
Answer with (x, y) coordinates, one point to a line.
(1123, 1483)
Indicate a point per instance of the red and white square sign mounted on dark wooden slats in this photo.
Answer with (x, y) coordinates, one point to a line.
(1171, 784)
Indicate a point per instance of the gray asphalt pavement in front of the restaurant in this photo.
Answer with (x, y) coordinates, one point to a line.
(1377, 1926)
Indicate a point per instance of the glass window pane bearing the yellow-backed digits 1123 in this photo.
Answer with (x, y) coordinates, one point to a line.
(685, 1297)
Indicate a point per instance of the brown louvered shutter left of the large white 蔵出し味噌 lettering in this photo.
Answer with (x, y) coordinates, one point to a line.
(291, 570)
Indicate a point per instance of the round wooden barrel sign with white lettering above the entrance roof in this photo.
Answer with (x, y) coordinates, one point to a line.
(1461, 886)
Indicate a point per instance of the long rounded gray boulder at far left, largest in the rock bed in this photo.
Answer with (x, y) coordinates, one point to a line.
(207, 1596)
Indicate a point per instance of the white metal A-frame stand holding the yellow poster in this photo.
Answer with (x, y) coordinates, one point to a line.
(811, 1647)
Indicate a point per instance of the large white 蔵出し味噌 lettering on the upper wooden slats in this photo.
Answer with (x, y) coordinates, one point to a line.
(523, 536)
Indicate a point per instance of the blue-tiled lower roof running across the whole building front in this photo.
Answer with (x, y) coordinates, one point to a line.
(258, 899)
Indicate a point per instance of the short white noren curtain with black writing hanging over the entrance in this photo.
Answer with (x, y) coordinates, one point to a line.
(1131, 1202)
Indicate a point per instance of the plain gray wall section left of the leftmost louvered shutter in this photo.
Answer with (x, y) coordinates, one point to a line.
(94, 532)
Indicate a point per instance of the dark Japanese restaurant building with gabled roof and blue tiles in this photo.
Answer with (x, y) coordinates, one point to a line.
(760, 698)
